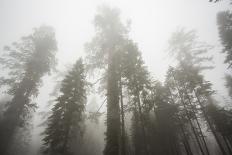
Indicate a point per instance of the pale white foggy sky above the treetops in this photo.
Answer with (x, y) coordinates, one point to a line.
(152, 22)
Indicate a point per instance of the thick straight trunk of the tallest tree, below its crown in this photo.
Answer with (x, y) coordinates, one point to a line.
(113, 112)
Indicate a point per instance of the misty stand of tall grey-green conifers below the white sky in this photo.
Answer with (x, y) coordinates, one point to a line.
(108, 102)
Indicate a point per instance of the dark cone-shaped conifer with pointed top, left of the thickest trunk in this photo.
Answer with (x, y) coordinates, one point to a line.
(66, 121)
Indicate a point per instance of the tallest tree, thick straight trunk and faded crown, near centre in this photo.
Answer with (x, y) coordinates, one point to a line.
(103, 52)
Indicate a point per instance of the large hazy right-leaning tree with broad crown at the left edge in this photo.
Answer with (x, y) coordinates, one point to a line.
(25, 62)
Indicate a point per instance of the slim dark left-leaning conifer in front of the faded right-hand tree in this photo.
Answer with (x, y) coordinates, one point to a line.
(182, 80)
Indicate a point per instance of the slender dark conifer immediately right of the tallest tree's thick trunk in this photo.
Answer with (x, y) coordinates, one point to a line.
(137, 80)
